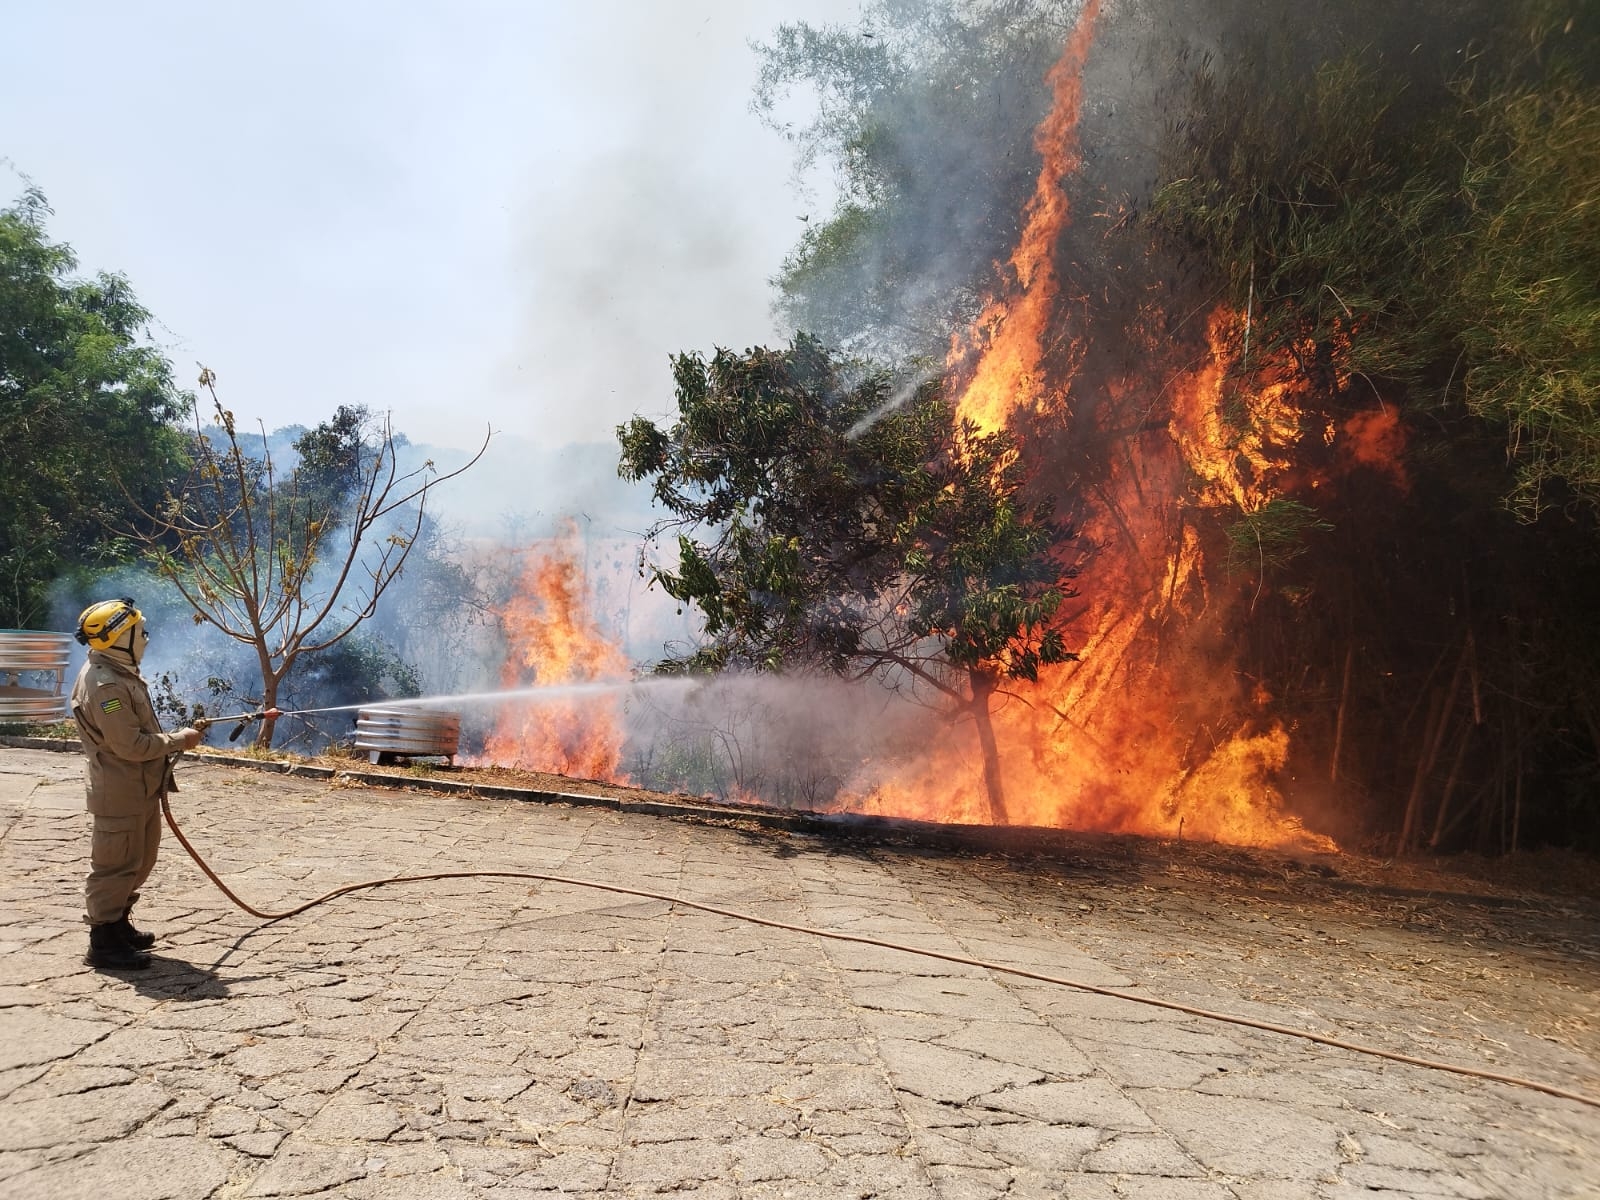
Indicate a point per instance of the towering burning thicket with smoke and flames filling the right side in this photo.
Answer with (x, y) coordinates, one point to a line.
(1300, 305)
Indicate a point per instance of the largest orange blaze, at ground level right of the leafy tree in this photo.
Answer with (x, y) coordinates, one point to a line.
(1145, 734)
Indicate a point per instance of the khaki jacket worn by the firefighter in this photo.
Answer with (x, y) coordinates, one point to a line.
(124, 746)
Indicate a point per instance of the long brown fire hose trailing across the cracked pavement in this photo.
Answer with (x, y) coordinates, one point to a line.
(860, 940)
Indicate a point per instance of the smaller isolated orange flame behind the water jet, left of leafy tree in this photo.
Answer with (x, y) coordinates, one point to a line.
(553, 641)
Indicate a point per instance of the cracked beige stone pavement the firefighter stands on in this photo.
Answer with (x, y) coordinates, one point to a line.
(513, 1039)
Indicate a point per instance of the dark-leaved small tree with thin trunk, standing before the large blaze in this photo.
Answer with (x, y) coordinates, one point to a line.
(852, 527)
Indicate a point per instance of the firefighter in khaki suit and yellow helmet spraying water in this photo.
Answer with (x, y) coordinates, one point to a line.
(129, 767)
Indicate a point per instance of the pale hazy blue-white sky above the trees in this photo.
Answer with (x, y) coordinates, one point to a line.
(466, 214)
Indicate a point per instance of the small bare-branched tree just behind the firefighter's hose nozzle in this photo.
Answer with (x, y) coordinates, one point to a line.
(289, 564)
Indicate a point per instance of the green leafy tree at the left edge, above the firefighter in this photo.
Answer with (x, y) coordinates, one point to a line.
(87, 410)
